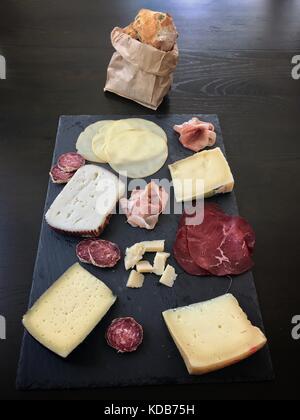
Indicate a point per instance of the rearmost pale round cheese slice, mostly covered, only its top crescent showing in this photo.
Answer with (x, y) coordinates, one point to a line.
(135, 124)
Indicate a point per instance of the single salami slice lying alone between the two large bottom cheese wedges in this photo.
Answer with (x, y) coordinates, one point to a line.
(125, 335)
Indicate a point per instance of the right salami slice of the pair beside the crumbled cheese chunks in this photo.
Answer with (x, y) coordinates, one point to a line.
(104, 254)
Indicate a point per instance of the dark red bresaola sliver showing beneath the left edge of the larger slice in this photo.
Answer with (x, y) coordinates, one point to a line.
(183, 257)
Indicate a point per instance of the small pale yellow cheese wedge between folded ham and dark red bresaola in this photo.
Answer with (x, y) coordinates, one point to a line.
(202, 175)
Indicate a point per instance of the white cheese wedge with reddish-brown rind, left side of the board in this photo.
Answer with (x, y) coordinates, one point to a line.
(86, 202)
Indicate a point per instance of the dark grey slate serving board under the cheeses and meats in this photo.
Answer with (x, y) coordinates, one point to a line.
(94, 364)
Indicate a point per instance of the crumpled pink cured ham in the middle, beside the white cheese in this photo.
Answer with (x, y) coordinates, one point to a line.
(145, 206)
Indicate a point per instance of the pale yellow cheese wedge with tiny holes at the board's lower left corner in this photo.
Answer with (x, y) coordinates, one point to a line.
(69, 311)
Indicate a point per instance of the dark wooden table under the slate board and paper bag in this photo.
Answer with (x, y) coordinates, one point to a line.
(235, 62)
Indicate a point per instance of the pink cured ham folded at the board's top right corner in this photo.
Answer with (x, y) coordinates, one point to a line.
(196, 135)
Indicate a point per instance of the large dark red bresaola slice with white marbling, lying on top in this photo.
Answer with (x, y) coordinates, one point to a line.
(222, 244)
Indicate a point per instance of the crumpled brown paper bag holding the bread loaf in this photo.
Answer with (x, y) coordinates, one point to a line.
(138, 71)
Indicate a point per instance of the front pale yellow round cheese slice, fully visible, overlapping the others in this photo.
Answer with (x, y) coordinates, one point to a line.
(136, 153)
